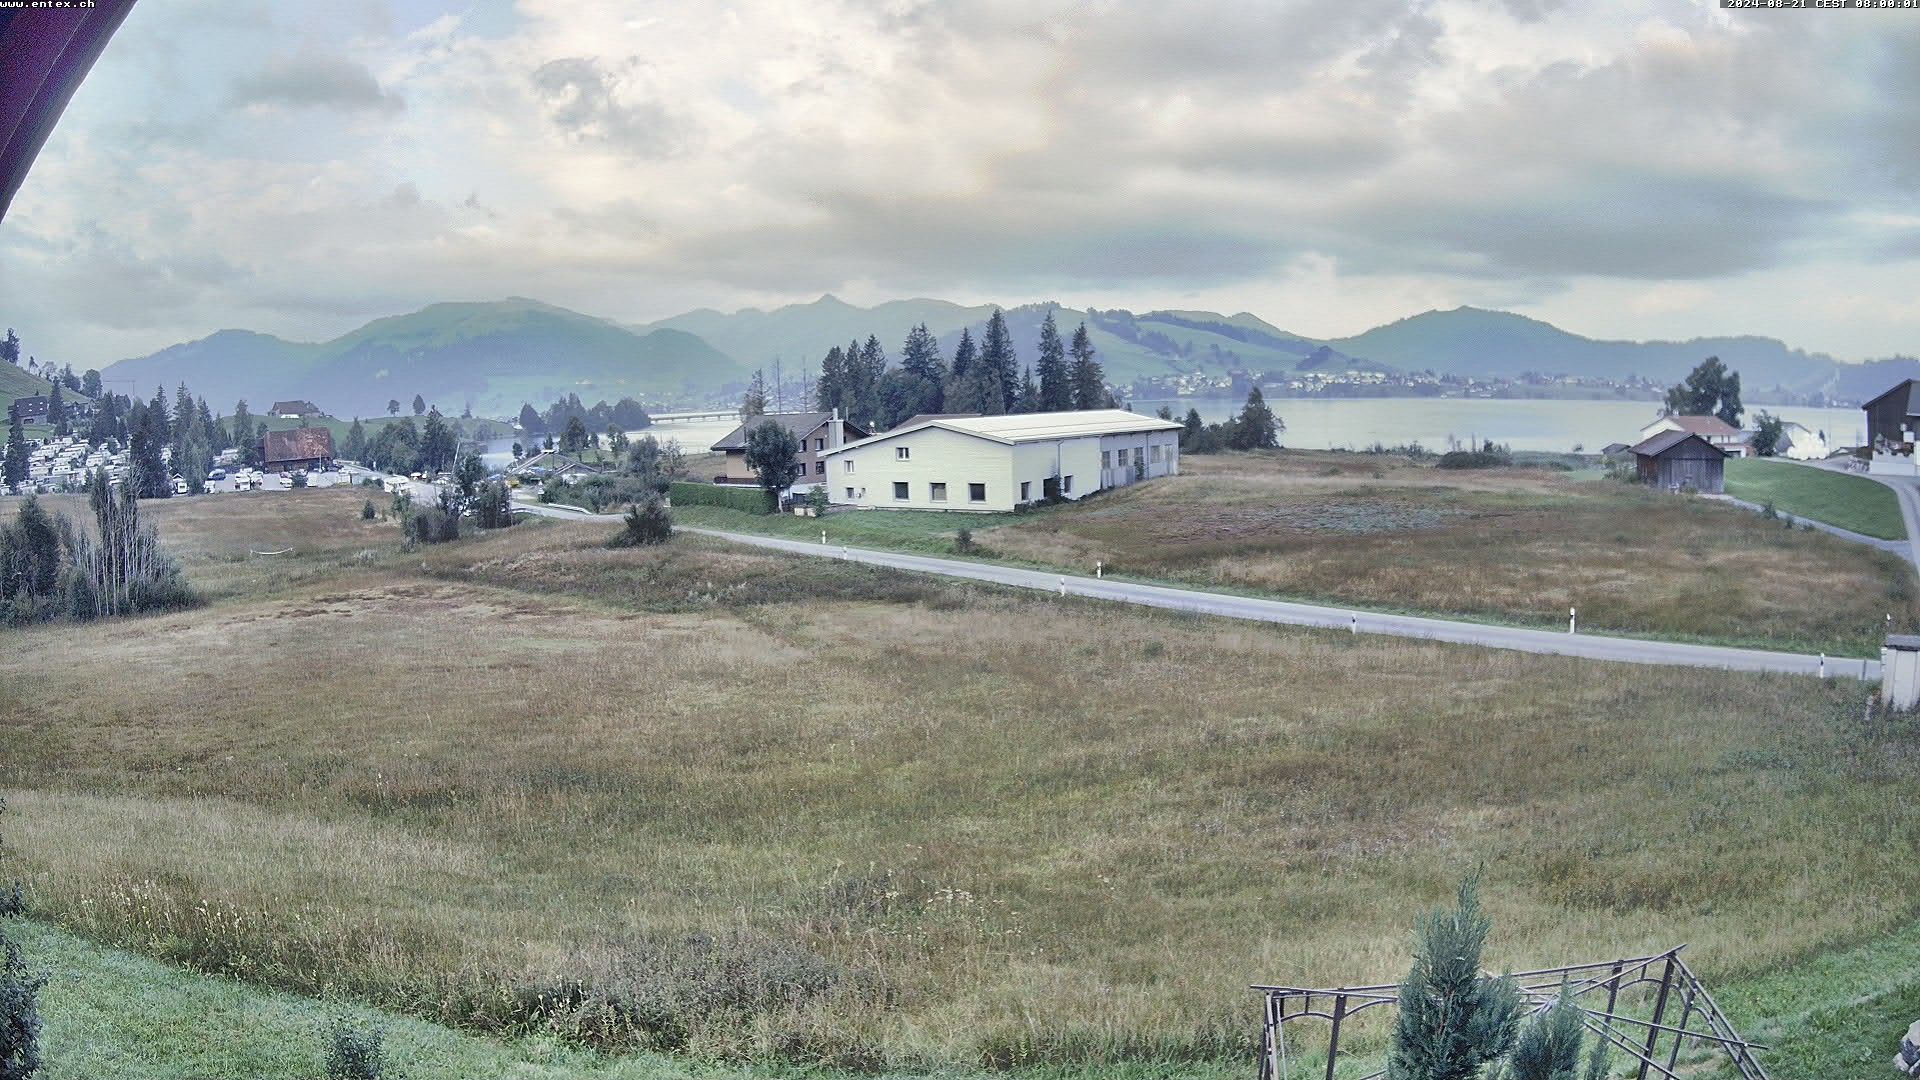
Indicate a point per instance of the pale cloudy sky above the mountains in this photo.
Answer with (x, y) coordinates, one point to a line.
(1621, 168)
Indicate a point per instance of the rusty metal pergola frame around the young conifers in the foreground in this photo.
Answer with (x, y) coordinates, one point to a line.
(1595, 989)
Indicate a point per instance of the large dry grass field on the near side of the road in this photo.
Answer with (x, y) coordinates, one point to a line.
(732, 804)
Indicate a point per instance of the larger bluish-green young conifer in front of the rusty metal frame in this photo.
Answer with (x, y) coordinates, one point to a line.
(1452, 1019)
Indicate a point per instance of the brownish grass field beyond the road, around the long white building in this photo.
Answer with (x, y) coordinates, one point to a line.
(1502, 545)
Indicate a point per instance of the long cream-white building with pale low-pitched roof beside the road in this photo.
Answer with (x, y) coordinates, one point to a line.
(996, 464)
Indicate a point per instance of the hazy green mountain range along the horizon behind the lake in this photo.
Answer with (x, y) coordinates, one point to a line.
(496, 356)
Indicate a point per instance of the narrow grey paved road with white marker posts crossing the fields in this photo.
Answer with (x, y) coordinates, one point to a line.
(1591, 647)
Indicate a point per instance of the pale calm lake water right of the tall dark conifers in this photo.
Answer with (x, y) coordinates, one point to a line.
(1355, 424)
